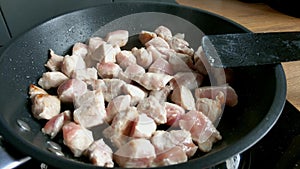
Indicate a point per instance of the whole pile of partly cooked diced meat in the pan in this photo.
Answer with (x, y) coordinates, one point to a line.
(133, 93)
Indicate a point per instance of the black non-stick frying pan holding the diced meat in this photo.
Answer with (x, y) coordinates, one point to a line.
(261, 89)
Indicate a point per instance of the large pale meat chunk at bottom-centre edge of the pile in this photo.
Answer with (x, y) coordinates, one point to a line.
(137, 153)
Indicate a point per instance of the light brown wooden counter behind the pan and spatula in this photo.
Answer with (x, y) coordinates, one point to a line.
(258, 17)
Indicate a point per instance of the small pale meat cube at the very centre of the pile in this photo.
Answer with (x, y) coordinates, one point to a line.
(136, 93)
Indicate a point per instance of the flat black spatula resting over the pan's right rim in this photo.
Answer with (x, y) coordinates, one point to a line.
(251, 49)
